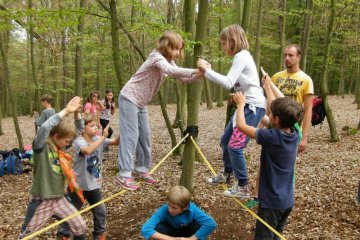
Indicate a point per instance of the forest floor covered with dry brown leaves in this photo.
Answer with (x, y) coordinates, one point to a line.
(327, 177)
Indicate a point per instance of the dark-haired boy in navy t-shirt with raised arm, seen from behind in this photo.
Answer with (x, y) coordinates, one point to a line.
(278, 155)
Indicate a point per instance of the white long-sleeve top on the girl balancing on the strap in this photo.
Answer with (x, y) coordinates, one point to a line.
(243, 77)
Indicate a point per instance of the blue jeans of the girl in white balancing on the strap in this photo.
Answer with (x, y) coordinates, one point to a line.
(233, 143)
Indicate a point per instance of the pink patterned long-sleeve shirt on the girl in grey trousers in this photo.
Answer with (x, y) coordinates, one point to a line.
(145, 83)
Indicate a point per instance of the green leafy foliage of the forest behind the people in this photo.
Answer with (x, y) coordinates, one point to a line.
(146, 20)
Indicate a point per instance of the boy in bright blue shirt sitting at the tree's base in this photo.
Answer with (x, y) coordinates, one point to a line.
(179, 217)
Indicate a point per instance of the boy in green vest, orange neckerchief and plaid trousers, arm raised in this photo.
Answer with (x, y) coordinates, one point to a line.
(52, 167)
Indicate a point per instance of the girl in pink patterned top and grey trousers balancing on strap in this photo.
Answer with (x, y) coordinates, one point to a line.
(135, 148)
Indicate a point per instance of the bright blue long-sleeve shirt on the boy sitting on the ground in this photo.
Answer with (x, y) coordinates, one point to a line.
(193, 213)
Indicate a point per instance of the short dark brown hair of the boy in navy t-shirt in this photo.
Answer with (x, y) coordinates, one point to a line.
(288, 111)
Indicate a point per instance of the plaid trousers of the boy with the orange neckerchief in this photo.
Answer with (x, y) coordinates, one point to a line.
(40, 210)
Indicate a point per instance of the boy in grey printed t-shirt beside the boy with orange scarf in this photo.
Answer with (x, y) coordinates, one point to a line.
(88, 159)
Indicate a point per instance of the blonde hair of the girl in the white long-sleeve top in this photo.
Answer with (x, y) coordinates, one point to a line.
(235, 39)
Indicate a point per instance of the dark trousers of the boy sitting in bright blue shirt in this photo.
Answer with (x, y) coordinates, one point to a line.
(169, 230)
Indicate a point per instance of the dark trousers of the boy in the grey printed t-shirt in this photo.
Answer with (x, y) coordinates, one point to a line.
(99, 212)
